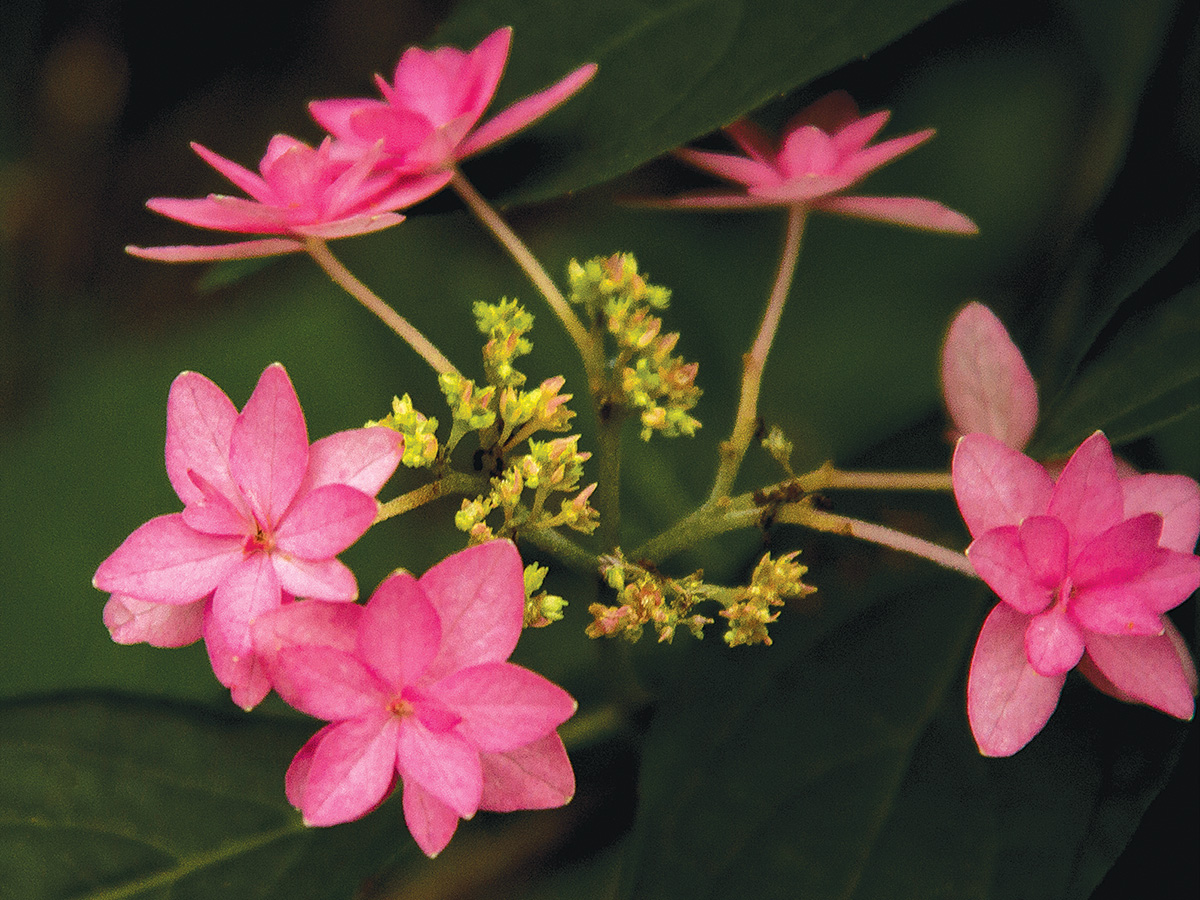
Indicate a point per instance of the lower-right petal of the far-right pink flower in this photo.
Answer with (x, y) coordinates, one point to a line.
(1147, 669)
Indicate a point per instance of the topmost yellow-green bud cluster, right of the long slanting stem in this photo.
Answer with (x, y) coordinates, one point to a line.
(646, 377)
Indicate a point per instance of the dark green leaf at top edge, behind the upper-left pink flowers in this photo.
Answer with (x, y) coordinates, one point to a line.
(670, 70)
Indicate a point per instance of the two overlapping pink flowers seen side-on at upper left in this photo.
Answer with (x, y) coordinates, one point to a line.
(382, 155)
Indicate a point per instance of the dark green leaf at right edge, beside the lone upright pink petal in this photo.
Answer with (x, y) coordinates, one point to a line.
(1148, 376)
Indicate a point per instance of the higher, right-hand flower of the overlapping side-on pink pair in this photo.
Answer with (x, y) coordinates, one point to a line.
(428, 118)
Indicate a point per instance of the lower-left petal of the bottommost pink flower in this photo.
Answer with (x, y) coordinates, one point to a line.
(350, 772)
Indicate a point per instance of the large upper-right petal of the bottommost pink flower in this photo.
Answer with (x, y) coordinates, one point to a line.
(479, 597)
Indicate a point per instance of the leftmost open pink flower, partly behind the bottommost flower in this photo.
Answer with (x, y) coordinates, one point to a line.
(265, 518)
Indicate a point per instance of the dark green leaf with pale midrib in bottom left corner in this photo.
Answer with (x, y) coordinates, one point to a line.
(106, 799)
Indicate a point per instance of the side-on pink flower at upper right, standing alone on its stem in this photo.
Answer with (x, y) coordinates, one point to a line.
(824, 152)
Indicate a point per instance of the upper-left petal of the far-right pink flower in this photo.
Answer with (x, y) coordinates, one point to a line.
(995, 485)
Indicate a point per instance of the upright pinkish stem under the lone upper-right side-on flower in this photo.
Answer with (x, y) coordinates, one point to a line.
(746, 423)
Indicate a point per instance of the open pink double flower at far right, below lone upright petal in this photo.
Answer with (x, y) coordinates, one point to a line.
(1085, 567)
